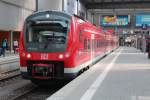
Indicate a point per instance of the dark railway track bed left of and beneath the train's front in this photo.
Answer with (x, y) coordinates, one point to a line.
(20, 89)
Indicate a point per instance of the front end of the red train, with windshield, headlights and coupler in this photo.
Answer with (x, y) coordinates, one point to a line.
(43, 47)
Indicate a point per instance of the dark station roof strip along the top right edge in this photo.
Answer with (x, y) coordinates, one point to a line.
(114, 4)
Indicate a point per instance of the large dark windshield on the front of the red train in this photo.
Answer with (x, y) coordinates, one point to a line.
(47, 35)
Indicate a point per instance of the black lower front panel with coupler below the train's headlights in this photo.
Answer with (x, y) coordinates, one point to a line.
(45, 69)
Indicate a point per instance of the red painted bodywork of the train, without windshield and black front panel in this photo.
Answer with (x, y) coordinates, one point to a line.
(75, 47)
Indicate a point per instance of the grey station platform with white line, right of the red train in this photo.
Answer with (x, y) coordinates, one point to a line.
(122, 75)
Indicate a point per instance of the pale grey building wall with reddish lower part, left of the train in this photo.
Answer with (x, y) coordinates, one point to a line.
(13, 14)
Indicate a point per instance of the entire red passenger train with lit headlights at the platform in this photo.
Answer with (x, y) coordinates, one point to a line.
(55, 45)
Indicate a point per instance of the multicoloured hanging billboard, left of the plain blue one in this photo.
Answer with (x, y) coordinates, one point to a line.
(118, 20)
